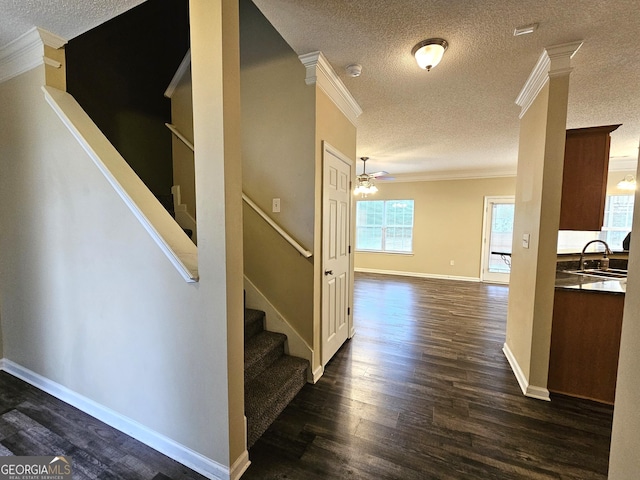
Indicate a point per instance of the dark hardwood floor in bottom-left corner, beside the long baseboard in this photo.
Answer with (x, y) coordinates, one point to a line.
(35, 423)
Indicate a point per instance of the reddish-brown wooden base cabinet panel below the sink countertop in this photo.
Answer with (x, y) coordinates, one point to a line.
(585, 344)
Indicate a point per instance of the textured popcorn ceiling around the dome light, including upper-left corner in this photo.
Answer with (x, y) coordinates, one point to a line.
(458, 119)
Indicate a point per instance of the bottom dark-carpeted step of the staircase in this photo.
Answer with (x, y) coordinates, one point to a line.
(267, 395)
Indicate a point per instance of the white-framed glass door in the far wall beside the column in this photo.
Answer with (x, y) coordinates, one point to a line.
(497, 238)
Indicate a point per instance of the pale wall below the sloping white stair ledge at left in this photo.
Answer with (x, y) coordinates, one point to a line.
(88, 299)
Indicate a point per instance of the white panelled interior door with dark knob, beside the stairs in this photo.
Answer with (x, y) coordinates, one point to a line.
(336, 222)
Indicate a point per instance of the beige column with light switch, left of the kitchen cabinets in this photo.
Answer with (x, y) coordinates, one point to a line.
(537, 213)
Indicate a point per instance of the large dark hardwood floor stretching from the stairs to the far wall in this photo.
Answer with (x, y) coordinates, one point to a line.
(423, 391)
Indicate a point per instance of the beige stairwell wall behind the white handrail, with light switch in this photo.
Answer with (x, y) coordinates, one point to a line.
(278, 128)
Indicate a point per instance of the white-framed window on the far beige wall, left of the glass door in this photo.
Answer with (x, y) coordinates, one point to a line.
(384, 225)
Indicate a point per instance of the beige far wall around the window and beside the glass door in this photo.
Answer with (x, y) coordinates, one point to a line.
(447, 226)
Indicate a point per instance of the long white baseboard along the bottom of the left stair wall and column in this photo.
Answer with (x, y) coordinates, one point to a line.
(178, 452)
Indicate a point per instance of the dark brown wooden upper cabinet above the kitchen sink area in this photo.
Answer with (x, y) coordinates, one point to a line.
(584, 181)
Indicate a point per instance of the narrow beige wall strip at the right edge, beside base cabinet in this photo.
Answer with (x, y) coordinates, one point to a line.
(624, 461)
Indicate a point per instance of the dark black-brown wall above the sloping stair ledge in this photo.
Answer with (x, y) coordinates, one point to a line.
(118, 73)
